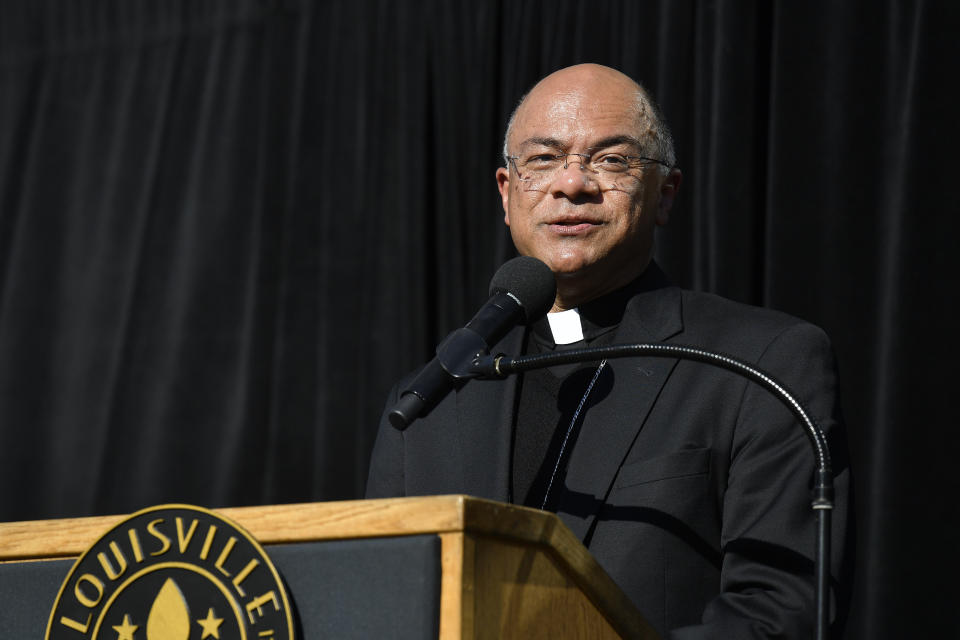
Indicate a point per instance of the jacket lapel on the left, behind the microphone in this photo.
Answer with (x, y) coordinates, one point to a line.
(485, 411)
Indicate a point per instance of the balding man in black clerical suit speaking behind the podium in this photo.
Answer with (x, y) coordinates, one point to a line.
(688, 484)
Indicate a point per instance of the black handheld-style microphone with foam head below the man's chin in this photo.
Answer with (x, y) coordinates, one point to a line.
(521, 291)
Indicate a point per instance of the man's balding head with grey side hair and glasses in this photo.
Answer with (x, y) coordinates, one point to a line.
(589, 217)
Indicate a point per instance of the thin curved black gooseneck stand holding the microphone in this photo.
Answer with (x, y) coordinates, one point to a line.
(501, 366)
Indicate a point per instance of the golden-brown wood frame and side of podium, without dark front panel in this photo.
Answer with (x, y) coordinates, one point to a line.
(489, 551)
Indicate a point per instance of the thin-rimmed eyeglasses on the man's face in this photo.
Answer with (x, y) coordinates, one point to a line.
(610, 169)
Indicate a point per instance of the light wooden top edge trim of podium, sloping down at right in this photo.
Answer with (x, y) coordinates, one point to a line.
(353, 519)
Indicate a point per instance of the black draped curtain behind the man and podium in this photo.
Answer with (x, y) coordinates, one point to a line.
(227, 227)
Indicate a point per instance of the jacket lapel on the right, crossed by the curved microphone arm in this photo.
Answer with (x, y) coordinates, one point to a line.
(611, 426)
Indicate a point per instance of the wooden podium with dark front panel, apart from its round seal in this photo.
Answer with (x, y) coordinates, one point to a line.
(485, 570)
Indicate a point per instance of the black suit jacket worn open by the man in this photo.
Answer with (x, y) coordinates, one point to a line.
(689, 484)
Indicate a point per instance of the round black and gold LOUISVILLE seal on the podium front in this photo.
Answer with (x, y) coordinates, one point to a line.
(172, 572)
